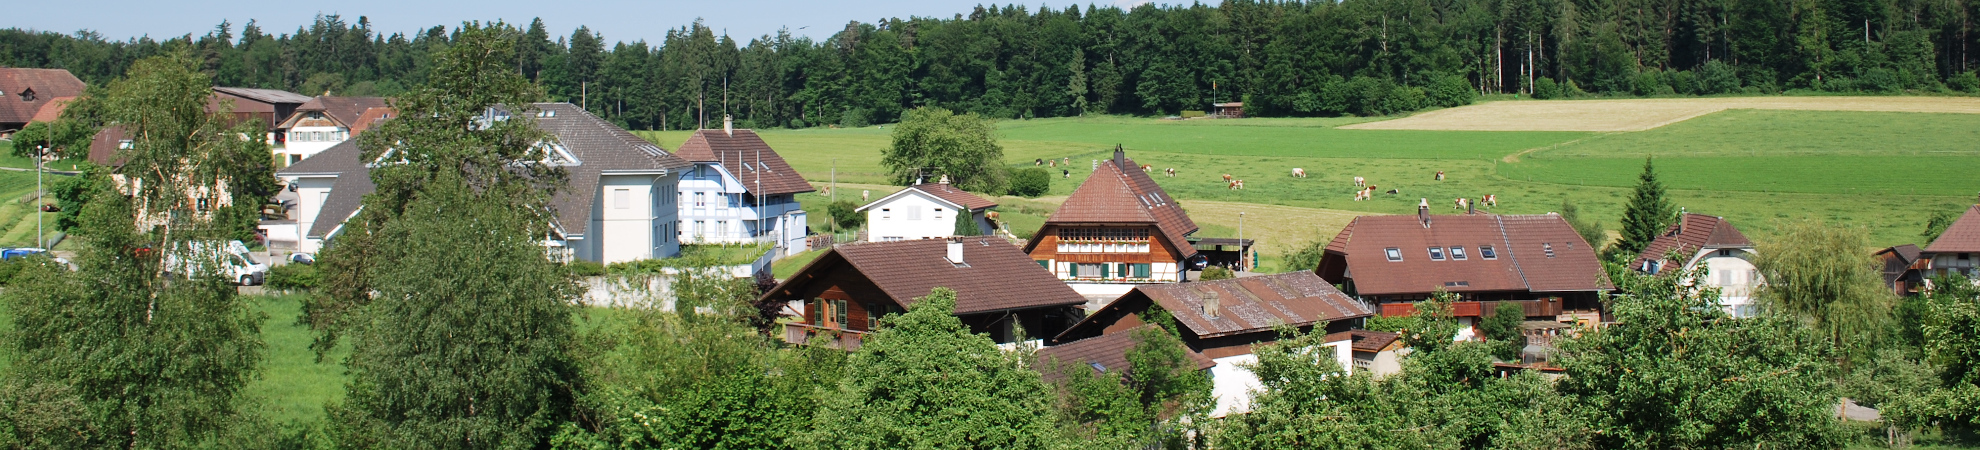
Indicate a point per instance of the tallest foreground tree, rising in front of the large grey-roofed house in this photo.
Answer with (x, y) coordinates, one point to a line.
(460, 336)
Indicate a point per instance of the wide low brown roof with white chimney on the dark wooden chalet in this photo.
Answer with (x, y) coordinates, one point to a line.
(995, 277)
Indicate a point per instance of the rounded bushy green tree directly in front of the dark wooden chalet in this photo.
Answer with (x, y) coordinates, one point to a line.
(926, 382)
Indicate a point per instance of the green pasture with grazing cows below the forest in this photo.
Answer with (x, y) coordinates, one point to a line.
(1880, 169)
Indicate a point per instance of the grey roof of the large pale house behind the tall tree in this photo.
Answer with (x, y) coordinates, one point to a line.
(597, 146)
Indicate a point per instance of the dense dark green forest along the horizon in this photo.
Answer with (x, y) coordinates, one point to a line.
(1282, 58)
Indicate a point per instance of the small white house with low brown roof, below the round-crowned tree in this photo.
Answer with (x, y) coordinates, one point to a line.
(924, 211)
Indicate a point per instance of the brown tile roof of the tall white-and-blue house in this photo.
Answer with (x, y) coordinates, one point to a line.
(765, 168)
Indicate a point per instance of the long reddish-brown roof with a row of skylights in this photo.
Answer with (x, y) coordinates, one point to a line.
(1522, 247)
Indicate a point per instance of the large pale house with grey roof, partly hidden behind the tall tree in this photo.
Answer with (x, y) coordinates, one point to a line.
(617, 207)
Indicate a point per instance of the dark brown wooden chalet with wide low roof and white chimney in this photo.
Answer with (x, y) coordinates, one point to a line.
(999, 290)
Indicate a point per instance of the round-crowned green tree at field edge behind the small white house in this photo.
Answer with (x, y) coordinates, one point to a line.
(932, 142)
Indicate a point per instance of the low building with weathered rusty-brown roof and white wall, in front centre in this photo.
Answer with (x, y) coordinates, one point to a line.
(1227, 318)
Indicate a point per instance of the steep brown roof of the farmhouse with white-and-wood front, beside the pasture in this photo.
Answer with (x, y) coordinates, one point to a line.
(1122, 193)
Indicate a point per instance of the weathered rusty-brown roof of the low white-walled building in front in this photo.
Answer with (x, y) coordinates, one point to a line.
(1254, 304)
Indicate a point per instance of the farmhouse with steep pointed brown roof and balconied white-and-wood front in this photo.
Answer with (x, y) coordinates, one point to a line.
(1114, 233)
